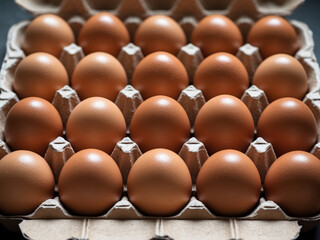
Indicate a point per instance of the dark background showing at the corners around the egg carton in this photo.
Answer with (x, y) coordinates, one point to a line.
(10, 14)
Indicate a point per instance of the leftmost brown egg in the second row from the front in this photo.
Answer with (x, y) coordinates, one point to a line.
(32, 124)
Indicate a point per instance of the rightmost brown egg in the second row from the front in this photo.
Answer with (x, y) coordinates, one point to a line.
(288, 124)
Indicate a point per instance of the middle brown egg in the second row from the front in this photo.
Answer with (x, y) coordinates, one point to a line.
(160, 122)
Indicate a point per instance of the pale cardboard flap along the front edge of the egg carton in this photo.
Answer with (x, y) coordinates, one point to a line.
(146, 229)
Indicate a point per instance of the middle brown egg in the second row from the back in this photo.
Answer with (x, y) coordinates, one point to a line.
(160, 73)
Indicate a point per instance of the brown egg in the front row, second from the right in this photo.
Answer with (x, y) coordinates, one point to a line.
(229, 183)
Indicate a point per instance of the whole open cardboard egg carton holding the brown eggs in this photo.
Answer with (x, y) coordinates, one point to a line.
(52, 221)
